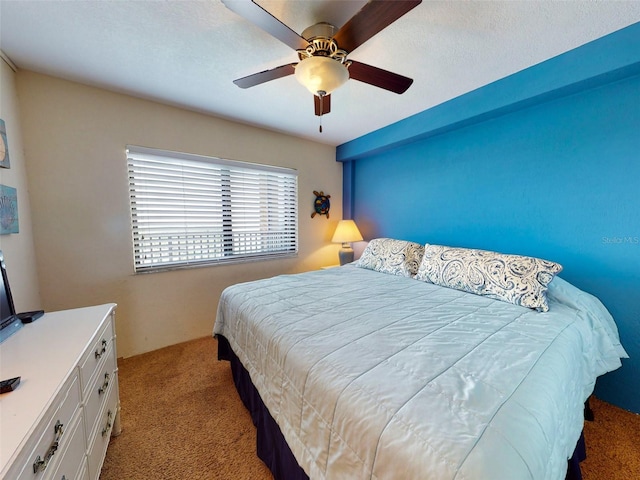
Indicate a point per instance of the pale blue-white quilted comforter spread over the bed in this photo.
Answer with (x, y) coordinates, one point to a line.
(371, 375)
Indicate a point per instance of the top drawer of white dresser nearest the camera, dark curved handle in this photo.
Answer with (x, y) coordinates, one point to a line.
(52, 435)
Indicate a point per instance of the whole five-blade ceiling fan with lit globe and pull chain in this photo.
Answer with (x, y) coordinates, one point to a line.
(323, 49)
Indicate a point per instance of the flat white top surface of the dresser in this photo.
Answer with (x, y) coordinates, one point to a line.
(44, 353)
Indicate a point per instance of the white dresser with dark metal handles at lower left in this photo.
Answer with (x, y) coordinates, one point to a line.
(57, 423)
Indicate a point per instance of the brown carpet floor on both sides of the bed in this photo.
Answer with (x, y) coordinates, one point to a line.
(183, 420)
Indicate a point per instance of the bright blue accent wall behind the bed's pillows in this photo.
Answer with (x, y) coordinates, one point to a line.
(545, 162)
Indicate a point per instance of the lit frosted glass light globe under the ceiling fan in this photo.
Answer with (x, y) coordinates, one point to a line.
(321, 74)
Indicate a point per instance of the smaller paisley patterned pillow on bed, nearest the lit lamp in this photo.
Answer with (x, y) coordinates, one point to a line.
(397, 257)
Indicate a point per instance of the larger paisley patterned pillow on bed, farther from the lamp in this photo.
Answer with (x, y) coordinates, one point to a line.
(511, 278)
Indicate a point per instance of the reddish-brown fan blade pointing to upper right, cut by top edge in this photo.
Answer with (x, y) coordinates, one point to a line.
(372, 18)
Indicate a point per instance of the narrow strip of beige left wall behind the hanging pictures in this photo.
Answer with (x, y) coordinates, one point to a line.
(18, 249)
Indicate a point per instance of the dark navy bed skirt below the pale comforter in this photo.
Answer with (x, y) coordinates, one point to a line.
(271, 446)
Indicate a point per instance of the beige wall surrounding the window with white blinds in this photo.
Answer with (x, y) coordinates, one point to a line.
(75, 139)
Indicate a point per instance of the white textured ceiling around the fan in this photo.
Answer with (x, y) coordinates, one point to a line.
(187, 53)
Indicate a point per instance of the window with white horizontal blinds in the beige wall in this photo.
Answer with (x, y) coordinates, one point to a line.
(189, 210)
